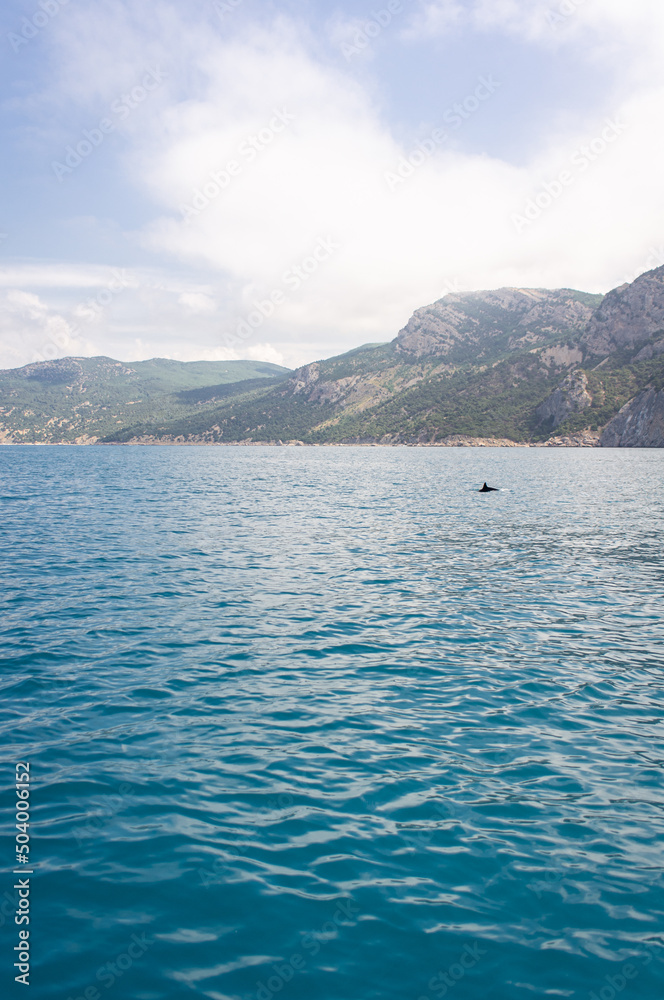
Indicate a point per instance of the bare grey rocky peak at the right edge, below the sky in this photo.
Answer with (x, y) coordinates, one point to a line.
(628, 315)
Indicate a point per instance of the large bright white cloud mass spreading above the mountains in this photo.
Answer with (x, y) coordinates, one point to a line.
(317, 172)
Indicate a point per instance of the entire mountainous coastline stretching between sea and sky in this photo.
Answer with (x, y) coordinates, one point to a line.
(513, 365)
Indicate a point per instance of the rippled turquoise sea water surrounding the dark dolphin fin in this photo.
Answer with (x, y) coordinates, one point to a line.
(326, 723)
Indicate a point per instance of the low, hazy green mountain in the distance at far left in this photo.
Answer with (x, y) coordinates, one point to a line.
(80, 400)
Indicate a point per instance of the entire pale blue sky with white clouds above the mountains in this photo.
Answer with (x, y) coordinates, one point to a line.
(287, 181)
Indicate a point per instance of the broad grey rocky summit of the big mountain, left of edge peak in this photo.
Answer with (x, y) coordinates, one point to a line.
(529, 315)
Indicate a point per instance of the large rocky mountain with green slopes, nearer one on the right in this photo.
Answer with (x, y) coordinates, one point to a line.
(512, 365)
